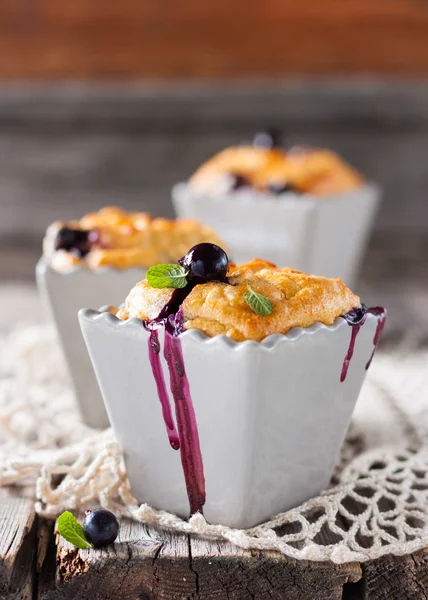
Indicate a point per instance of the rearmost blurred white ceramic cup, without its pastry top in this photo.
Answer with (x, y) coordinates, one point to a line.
(322, 235)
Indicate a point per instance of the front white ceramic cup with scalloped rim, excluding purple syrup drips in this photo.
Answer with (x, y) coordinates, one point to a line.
(271, 416)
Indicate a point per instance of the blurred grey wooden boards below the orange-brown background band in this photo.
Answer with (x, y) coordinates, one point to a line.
(69, 149)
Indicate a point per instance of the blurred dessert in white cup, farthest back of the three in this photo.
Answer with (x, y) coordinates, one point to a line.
(300, 206)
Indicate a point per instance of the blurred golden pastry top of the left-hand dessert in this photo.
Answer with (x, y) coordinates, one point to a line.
(120, 239)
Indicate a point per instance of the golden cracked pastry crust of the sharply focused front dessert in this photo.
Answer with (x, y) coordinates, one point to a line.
(215, 308)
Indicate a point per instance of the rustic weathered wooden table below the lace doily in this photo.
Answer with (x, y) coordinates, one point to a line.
(146, 563)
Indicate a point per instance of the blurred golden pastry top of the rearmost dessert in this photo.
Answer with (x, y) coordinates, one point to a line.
(311, 171)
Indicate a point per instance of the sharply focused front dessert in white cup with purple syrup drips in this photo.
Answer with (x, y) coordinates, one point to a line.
(263, 367)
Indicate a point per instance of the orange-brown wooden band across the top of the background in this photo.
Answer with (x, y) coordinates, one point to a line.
(89, 39)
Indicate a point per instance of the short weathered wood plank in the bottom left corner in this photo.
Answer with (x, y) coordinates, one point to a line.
(18, 545)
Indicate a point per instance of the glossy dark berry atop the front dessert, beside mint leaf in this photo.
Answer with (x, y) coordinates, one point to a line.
(205, 262)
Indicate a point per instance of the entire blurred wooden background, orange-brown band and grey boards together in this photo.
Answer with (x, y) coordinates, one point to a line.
(113, 102)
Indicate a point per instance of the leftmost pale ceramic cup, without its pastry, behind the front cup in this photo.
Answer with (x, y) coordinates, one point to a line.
(64, 294)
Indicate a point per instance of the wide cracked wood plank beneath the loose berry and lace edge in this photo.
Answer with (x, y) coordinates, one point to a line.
(155, 564)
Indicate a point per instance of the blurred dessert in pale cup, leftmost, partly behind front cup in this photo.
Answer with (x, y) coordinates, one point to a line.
(94, 261)
